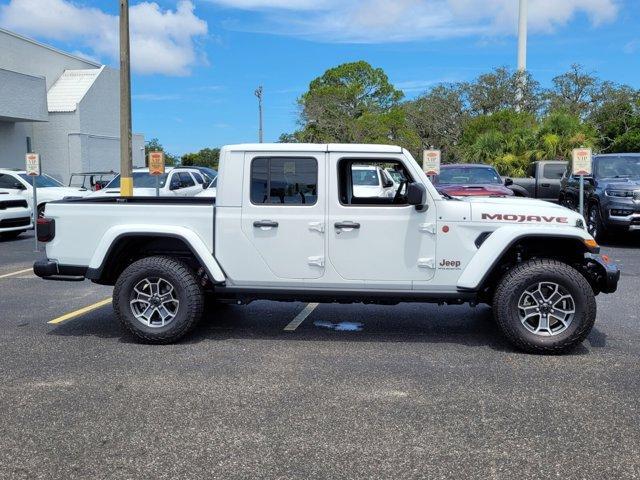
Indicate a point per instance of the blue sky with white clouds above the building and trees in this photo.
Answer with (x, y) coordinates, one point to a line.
(197, 62)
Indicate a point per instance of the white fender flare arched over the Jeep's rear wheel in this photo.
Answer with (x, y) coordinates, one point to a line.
(191, 239)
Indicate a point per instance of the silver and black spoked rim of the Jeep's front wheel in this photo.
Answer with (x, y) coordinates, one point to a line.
(546, 309)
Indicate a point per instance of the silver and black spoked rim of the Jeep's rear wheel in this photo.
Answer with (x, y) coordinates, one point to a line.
(154, 302)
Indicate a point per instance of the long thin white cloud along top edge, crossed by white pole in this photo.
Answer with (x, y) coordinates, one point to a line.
(381, 21)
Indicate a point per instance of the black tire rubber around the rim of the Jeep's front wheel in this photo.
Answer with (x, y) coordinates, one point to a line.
(513, 285)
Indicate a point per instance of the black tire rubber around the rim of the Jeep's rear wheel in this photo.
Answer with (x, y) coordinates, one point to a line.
(188, 292)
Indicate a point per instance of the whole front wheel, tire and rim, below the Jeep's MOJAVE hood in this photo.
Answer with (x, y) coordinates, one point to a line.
(544, 306)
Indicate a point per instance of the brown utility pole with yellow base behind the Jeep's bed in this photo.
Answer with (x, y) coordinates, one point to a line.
(126, 160)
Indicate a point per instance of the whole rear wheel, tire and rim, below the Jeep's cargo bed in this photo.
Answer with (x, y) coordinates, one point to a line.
(158, 299)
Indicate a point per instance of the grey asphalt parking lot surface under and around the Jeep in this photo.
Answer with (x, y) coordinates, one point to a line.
(408, 391)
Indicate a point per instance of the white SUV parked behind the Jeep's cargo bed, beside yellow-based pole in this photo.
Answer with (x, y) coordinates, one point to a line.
(183, 182)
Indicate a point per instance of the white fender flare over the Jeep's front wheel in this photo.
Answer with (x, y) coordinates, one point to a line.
(500, 241)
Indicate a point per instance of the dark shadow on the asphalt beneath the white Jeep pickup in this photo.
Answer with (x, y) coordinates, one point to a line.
(410, 323)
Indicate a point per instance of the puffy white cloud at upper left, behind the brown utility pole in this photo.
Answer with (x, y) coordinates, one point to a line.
(162, 41)
